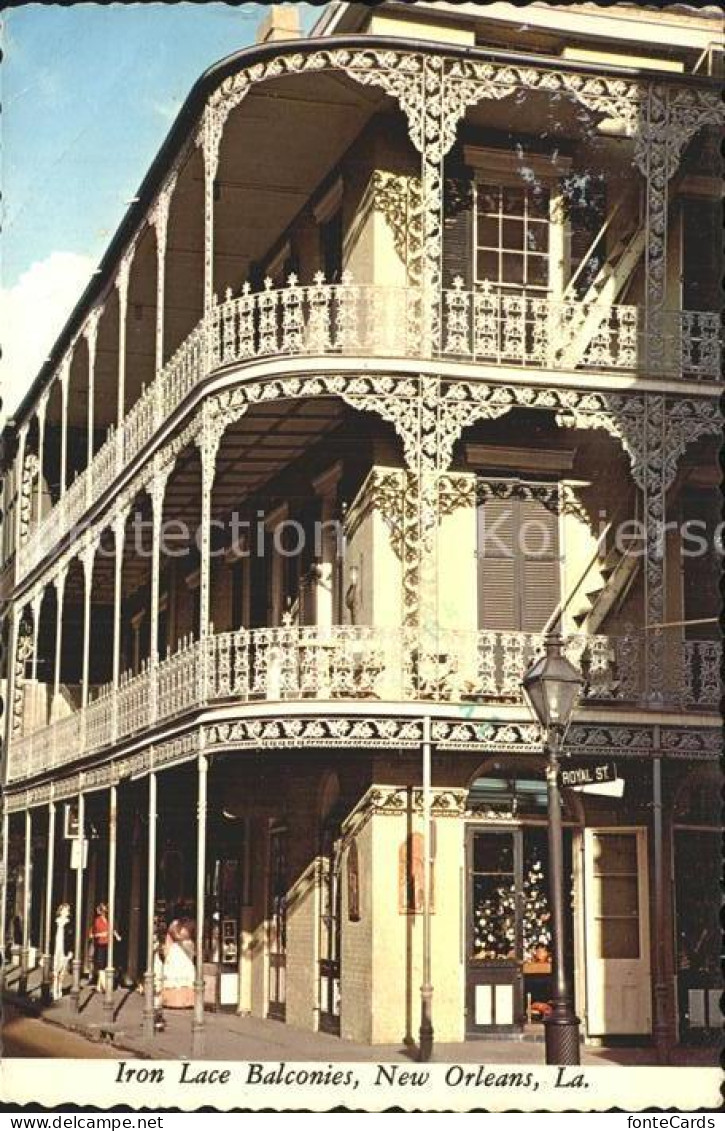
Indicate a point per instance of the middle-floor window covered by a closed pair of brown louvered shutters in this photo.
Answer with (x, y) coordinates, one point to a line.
(519, 562)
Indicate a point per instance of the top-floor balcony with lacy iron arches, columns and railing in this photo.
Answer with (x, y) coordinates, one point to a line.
(533, 230)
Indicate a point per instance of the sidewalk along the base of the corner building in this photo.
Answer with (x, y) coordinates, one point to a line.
(230, 1037)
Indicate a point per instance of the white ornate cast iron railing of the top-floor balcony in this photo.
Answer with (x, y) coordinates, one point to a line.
(346, 320)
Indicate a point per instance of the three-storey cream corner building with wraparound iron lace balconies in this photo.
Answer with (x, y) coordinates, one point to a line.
(408, 351)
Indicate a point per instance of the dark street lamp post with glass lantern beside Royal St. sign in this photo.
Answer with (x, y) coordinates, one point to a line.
(554, 686)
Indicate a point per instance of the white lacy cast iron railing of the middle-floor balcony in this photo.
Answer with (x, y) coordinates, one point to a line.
(295, 664)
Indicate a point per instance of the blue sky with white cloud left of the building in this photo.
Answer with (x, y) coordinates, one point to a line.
(89, 94)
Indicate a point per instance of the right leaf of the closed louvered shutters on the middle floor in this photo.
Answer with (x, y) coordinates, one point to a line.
(539, 564)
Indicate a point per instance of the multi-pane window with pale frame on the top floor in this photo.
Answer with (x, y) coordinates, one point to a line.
(512, 236)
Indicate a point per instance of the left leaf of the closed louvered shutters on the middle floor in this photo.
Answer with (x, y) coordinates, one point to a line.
(497, 566)
